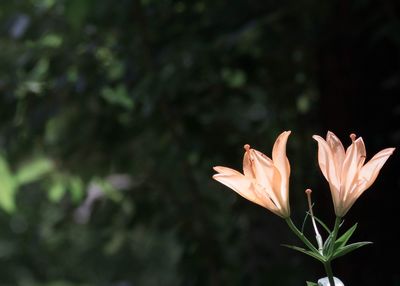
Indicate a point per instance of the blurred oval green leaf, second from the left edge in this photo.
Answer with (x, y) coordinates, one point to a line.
(33, 170)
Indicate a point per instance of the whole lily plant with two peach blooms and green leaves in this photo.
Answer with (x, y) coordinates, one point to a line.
(265, 181)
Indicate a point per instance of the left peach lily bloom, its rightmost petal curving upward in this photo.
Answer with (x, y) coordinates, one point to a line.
(264, 181)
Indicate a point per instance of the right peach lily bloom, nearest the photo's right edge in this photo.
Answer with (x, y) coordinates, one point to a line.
(345, 171)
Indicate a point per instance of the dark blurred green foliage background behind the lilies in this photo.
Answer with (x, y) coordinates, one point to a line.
(112, 114)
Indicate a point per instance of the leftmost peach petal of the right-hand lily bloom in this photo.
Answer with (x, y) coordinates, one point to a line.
(327, 162)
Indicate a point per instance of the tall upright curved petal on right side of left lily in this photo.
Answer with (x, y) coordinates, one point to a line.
(281, 161)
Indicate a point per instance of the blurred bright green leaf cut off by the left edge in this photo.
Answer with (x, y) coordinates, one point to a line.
(7, 187)
